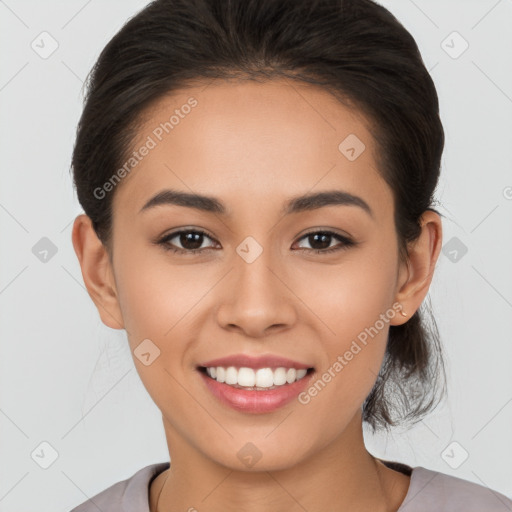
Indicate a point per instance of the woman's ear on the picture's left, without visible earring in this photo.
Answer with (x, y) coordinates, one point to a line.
(97, 272)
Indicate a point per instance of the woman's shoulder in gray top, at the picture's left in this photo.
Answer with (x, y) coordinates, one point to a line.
(130, 495)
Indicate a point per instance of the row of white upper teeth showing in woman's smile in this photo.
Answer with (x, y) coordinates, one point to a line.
(263, 378)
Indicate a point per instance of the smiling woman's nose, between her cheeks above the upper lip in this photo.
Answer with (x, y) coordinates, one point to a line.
(257, 299)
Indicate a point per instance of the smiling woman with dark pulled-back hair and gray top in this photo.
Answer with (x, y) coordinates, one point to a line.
(258, 184)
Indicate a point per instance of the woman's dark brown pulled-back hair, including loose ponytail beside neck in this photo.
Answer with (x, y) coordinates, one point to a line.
(355, 49)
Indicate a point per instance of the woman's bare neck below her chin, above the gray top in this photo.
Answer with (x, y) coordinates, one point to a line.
(342, 476)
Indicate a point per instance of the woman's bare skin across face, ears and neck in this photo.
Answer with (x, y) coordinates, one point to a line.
(253, 146)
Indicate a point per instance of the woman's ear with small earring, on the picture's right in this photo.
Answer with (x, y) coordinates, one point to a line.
(416, 275)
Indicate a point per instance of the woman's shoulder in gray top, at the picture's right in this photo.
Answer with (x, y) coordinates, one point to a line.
(431, 490)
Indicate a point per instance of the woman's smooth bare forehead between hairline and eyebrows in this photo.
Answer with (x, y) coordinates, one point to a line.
(265, 140)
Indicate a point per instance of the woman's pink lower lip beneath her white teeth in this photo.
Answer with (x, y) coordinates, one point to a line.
(253, 401)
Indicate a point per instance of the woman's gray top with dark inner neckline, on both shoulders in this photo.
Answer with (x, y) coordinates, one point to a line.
(429, 491)
